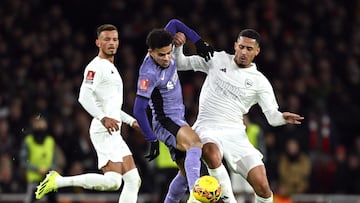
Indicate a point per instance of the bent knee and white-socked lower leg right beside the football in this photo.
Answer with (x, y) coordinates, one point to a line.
(213, 160)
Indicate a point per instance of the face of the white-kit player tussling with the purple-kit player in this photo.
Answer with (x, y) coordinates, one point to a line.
(245, 51)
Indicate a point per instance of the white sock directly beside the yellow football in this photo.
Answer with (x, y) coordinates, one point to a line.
(222, 175)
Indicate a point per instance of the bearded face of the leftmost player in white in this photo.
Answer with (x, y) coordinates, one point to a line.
(108, 43)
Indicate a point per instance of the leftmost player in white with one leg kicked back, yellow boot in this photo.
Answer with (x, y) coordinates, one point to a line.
(101, 95)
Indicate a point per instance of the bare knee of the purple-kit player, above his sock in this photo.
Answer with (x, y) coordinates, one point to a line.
(187, 138)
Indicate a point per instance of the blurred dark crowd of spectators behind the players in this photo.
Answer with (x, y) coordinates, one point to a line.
(310, 53)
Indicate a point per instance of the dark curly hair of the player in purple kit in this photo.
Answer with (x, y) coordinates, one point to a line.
(158, 38)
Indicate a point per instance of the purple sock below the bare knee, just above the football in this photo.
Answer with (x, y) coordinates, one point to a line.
(192, 165)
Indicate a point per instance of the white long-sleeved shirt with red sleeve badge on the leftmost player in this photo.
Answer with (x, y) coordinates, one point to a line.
(101, 93)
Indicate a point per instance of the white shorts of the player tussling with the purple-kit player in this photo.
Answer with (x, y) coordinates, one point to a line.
(234, 145)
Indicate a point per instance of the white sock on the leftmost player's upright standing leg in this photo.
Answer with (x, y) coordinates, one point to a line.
(132, 182)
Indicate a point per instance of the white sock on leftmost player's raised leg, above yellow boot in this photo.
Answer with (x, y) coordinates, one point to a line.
(108, 182)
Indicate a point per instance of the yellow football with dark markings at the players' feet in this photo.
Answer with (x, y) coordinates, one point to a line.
(207, 189)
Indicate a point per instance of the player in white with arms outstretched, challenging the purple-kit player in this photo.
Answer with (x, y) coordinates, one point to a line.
(233, 85)
